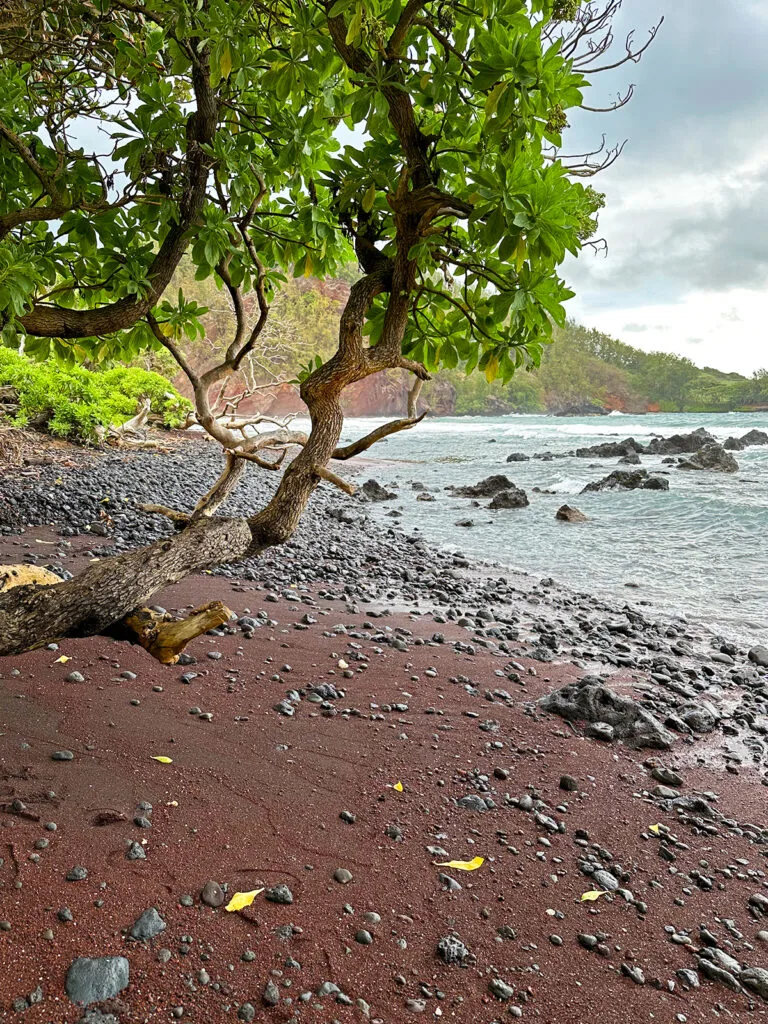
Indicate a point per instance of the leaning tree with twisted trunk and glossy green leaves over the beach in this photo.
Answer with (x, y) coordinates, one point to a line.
(138, 131)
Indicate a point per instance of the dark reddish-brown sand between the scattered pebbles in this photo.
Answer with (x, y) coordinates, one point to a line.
(254, 803)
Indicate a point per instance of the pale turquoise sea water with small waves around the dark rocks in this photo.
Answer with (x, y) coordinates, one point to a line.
(698, 550)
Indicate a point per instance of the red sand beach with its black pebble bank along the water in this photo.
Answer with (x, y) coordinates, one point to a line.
(259, 793)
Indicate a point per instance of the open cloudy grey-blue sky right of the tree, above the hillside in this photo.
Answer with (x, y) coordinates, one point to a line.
(687, 215)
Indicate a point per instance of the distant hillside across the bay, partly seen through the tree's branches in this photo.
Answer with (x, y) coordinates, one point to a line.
(582, 369)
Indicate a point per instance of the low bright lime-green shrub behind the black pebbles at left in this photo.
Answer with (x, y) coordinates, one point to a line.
(74, 403)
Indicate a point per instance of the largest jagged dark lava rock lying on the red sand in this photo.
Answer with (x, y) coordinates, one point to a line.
(588, 701)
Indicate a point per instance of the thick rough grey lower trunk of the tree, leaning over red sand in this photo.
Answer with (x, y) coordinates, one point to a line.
(108, 591)
